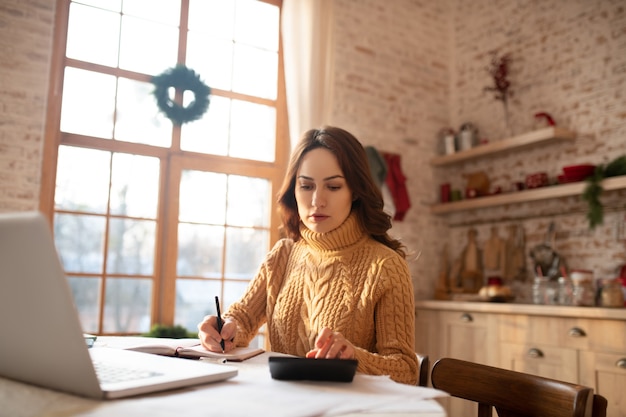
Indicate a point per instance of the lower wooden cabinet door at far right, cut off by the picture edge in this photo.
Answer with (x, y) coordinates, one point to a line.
(606, 373)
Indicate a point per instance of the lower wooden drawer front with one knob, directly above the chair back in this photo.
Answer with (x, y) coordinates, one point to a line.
(547, 361)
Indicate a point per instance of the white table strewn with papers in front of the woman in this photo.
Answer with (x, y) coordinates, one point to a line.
(251, 392)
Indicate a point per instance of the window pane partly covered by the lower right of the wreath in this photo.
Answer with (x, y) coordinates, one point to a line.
(210, 134)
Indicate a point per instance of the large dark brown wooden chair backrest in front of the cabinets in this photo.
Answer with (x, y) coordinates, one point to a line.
(511, 393)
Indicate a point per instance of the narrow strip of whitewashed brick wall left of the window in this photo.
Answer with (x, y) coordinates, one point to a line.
(25, 44)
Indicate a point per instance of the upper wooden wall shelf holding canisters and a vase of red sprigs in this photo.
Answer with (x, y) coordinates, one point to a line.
(548, 134)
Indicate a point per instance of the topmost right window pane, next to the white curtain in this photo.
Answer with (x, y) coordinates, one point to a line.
(257, 24)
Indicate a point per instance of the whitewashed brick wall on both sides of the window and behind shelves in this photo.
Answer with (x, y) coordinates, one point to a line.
(404, 70)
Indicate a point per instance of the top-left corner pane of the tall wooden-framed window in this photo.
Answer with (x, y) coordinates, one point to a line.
(93, 35)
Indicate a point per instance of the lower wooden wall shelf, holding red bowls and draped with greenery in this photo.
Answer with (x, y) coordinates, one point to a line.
(543, 193)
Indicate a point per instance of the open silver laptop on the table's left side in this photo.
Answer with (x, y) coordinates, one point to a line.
(41, 340)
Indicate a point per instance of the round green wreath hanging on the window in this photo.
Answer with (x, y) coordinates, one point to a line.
(181, 78)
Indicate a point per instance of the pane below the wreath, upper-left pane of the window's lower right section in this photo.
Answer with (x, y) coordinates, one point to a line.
(202, 197)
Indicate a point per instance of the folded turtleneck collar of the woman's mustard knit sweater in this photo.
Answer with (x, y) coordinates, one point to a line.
(342, 237)
